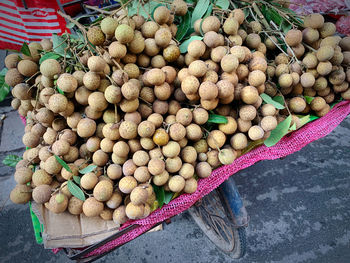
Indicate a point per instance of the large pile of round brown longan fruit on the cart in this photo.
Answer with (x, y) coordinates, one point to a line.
(138, 109)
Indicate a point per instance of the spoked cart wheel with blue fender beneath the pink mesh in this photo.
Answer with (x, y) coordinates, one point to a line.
(213, 215)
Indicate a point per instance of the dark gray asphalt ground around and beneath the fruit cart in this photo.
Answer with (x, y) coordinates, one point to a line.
(299, 211)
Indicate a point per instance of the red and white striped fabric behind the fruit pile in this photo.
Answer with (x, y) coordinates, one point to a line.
(36, 21)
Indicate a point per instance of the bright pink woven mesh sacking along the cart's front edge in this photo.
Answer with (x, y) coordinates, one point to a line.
(288, 145)
